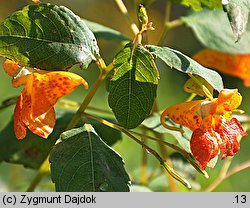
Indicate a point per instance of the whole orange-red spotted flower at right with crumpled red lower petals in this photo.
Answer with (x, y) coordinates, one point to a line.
(212, 124)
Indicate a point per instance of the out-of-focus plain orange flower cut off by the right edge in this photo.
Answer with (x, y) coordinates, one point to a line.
(237, 65)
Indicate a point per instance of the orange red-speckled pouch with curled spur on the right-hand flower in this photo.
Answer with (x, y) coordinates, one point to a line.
(185, 114)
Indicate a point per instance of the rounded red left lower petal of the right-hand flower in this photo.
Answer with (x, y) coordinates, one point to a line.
(204, 146)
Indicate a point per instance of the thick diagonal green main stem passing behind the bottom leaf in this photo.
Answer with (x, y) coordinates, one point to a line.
(103, 73)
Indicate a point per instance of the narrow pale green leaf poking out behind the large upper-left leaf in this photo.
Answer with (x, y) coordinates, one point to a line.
(103, 32)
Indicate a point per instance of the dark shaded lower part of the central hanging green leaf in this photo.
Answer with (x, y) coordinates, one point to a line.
(131, 100)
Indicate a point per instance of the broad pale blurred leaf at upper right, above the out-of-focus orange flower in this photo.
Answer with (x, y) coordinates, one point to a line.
(213, 30)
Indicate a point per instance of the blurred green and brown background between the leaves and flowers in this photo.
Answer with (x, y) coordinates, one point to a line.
(170, 91)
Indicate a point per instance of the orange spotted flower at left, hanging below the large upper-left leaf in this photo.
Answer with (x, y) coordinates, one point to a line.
(42, 89)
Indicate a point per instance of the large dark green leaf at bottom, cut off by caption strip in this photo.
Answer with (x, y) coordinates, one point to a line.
(83, 162)
